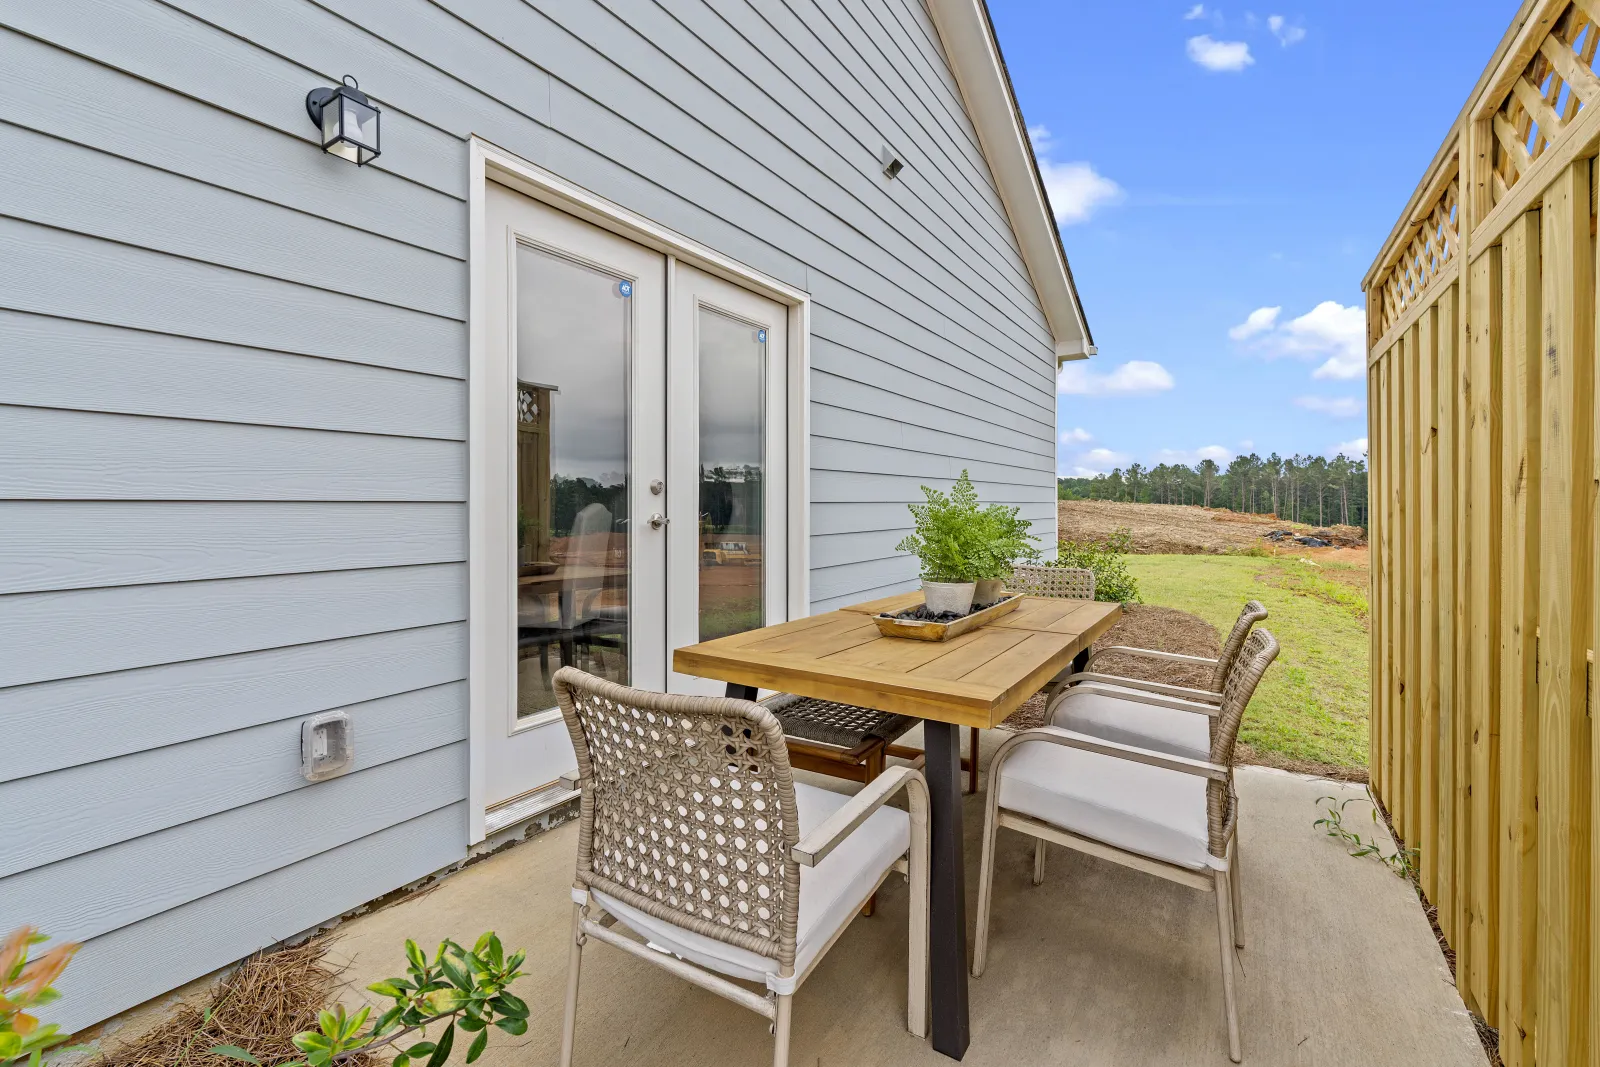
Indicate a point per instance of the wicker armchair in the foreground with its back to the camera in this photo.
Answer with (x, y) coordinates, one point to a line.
(695, 837)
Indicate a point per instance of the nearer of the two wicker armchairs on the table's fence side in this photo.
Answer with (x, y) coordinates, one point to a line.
(1166, 815)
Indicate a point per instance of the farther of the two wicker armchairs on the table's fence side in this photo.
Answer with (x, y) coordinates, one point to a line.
(1138, 713)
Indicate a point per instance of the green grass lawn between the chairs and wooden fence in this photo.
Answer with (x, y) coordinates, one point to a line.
(1313, 703)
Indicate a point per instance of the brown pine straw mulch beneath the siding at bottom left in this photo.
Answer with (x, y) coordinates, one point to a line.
(260, 1007)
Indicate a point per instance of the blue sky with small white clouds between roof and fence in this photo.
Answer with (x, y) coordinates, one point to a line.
(1212, 164)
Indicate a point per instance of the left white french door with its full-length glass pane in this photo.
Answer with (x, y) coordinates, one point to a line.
(575, 438)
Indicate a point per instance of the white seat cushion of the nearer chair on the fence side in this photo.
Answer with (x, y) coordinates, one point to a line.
(1135, 807)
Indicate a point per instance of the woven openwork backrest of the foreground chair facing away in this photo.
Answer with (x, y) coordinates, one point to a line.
(687, 812)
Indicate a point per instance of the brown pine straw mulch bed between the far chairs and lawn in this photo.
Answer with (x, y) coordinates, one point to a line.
(1172, 631)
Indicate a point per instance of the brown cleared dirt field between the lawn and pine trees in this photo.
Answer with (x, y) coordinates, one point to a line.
(1186, 530)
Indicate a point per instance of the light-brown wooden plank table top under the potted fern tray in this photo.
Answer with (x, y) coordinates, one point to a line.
(975, 679)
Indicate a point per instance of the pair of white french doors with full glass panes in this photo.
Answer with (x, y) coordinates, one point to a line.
(634, 486)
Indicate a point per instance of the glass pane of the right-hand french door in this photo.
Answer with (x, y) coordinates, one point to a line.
(732, 474)
